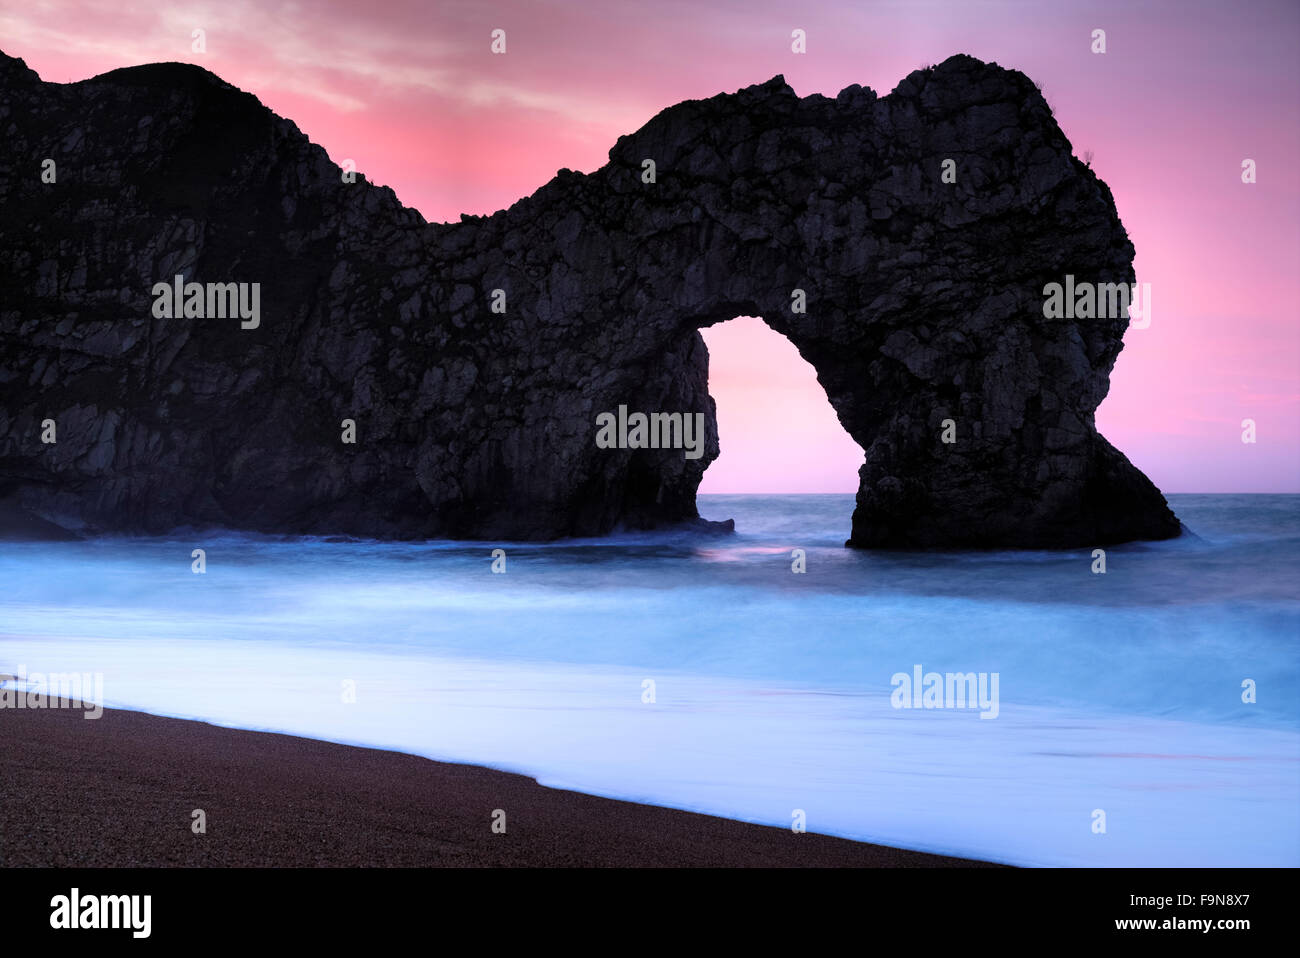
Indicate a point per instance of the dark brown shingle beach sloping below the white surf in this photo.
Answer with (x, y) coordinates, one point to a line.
(120, 791)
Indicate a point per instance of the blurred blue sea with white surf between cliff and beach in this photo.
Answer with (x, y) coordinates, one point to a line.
(700, 673)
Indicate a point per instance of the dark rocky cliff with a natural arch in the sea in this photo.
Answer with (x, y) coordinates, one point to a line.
(925, 304)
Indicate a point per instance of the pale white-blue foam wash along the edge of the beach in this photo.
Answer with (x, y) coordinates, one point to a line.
(1020, 790)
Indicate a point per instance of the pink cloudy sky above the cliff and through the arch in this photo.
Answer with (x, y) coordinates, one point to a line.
(1185, 93)
